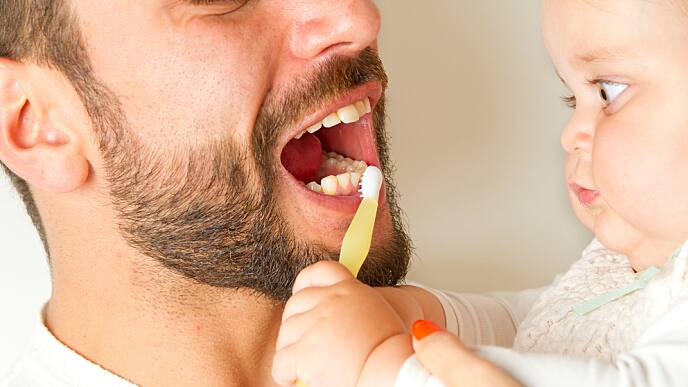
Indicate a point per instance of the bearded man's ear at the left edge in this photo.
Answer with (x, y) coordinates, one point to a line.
(34, 143)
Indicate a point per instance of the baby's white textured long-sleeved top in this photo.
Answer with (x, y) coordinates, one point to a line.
(647, 330)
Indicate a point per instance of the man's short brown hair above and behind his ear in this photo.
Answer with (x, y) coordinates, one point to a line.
(41, 32)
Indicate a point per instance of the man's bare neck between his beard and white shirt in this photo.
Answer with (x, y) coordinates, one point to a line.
(165, 332)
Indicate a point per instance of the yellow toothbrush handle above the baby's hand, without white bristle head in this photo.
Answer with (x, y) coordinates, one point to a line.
(356, 244)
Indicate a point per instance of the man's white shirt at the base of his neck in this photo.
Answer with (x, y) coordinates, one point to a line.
(46, 362)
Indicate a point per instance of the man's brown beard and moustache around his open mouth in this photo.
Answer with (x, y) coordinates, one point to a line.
(210, 213)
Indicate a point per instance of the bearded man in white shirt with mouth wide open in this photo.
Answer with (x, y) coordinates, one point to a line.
(183, 161)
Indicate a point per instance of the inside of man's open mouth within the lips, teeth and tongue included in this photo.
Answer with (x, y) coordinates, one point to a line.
(330, 155)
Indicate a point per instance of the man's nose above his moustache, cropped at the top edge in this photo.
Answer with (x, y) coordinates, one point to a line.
(332, 27)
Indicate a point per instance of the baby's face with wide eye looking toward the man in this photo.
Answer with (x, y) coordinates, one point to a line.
(626, 63)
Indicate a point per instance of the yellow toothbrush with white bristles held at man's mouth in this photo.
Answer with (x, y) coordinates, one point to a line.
(356, 243)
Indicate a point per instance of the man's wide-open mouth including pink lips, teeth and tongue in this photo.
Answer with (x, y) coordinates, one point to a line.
(341, 146)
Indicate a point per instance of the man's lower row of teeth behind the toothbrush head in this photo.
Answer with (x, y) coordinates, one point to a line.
(339, 176)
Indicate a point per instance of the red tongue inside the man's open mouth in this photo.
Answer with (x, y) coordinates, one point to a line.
(302, 157)
